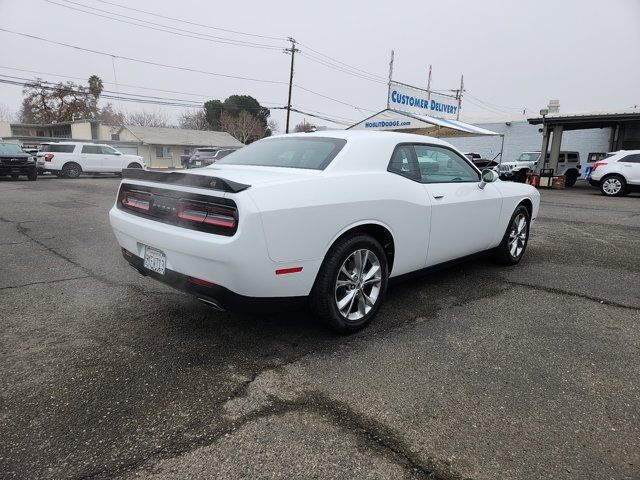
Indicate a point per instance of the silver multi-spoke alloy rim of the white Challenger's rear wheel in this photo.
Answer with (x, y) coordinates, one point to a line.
(358, 284)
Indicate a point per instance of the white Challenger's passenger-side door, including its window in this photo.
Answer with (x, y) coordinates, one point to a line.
(464, 217)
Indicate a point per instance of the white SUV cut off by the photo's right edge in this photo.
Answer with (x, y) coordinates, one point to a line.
(617, 174)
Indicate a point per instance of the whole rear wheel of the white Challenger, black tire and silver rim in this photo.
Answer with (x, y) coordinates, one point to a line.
(351, 283)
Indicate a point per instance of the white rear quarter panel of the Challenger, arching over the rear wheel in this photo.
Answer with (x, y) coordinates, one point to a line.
(301, 220)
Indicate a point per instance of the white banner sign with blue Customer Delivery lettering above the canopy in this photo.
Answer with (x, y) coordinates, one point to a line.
(421, 102)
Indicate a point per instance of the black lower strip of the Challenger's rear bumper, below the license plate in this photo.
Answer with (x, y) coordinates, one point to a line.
(214, 295)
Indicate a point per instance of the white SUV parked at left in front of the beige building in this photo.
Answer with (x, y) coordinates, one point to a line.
(70, 159)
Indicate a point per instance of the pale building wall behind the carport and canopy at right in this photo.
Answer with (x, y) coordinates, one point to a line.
(520, 137)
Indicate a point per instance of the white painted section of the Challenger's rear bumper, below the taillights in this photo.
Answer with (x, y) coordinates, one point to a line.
(239, 263)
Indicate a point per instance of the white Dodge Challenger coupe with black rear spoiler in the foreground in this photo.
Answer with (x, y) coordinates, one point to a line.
(327, 217)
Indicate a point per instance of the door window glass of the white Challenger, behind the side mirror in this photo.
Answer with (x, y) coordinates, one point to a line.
(441, 165)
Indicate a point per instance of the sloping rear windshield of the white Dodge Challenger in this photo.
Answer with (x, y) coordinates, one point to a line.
(313, 153)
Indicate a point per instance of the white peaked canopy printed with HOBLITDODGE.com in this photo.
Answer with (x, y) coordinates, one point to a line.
(421, 124)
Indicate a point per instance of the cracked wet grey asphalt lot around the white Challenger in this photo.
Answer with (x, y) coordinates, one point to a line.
(477, 371)
